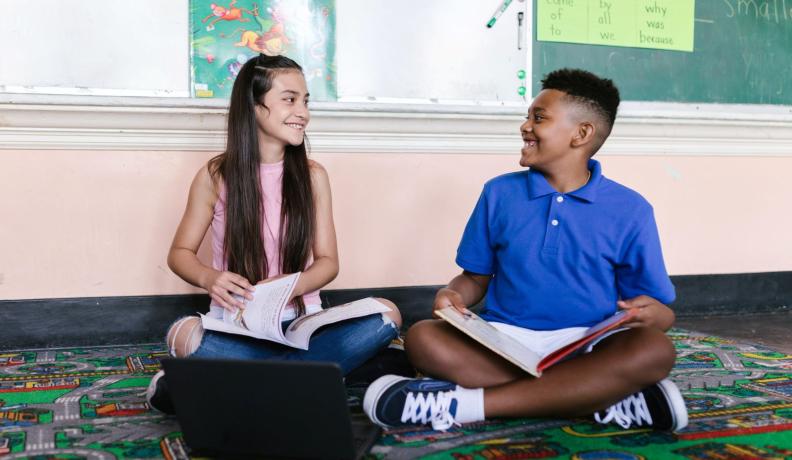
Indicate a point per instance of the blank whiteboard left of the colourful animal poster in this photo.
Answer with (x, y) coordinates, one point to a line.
(107, 47)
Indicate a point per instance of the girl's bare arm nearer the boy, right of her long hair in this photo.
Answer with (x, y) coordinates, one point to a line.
(325, 249)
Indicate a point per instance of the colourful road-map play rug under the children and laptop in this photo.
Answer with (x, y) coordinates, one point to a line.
(89, 403)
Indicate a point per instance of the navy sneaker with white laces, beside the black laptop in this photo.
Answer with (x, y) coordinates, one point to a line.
(393, 401)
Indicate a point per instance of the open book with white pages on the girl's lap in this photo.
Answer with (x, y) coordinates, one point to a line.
(261, 318)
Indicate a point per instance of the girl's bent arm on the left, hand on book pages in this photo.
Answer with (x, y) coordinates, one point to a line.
(183, 258)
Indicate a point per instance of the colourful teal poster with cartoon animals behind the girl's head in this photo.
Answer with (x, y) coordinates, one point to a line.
(224, 36)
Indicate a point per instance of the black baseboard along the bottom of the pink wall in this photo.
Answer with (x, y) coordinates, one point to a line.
(142, 319)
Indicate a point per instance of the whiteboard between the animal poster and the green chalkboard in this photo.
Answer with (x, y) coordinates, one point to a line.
(438, 49)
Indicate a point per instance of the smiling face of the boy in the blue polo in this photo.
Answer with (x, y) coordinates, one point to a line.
(548, 131)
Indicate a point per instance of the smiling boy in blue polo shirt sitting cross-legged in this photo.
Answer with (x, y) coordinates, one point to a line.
(554, 247)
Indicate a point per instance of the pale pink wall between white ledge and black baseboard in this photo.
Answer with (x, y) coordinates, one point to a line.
(99, 223)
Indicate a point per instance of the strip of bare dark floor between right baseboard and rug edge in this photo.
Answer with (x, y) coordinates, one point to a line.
(773, 330)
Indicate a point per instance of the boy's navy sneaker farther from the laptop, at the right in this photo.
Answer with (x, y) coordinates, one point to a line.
(659, 407)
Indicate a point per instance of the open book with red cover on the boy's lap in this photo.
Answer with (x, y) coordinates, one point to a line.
(531, 361)
